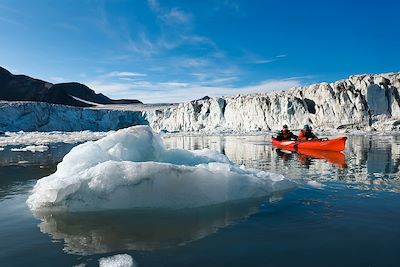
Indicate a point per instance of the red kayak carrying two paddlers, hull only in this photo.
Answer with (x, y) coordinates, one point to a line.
(336, 144)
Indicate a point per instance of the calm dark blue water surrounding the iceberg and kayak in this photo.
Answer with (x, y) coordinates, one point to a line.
(354, 220)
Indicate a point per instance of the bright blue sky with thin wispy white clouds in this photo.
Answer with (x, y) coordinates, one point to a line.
(169, 51)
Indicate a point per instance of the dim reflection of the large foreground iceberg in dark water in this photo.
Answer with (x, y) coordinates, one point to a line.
(102, 232)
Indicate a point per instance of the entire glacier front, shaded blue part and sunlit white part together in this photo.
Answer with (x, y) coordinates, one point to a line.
(368, 102)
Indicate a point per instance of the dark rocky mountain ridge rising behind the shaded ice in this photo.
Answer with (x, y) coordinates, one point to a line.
(24, 88)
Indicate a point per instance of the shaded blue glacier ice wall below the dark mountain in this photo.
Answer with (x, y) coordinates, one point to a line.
(40, 116)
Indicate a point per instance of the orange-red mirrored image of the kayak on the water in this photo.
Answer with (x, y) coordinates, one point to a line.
(305, 156)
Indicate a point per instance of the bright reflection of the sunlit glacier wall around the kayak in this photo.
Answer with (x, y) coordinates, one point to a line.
(372, 161)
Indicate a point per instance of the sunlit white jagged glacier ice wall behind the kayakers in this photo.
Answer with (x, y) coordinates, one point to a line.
(361, 101)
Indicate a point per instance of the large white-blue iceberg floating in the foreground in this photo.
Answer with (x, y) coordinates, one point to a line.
(131, 168)
